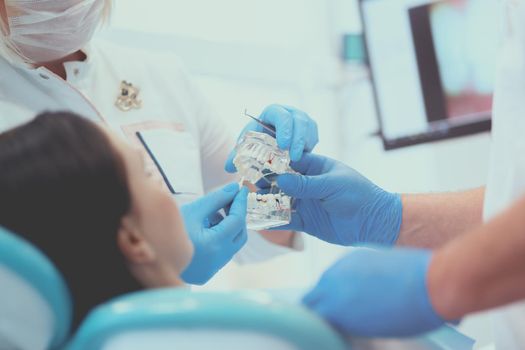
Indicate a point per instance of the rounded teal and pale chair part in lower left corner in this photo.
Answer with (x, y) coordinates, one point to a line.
(35, 305)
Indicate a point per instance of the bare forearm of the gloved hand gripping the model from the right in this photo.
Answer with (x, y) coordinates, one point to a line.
(431, 220)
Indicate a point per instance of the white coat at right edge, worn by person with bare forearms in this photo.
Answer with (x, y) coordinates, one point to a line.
(506, 182)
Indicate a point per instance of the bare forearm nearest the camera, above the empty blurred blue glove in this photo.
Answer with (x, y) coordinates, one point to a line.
(482, 269)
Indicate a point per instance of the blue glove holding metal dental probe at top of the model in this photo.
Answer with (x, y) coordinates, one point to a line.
(295, 131)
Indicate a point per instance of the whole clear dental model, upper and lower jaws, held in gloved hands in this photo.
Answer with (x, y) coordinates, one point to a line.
(258, 157)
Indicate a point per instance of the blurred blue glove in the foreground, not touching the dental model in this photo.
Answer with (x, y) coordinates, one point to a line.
(374, 293)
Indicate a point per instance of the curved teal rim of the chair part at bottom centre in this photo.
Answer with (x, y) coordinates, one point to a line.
(184, 310)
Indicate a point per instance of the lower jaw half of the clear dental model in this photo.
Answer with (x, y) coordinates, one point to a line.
(268, 210)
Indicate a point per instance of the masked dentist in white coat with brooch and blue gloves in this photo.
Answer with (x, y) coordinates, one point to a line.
(48, 63)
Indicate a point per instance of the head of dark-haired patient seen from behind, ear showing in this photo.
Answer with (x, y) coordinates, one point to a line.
(85, 199)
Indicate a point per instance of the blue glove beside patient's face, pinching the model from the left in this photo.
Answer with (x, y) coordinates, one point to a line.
(215, 239)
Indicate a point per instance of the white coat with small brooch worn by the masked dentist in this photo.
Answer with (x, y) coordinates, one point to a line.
(181, 131)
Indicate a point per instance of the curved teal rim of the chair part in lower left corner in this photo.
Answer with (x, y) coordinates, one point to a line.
(29, 264)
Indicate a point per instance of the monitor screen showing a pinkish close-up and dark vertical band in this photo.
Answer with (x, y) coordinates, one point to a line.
(432, 65)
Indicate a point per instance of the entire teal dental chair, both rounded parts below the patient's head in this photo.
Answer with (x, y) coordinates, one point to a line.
(35, 314)
